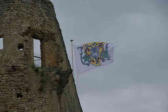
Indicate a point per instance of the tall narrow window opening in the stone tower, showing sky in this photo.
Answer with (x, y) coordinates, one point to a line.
(37, 52)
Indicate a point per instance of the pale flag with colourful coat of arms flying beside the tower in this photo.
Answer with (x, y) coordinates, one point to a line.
(93, 55)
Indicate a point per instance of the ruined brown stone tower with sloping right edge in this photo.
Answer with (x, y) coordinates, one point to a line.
(23, 86)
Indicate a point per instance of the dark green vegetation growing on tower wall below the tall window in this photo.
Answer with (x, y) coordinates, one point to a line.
(53, 76)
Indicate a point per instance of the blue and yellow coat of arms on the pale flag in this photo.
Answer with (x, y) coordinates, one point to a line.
(94, 53)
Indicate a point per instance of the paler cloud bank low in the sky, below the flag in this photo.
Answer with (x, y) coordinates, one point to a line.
(137, 98)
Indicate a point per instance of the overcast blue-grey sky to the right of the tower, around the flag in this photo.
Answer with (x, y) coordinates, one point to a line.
(137, 80)
